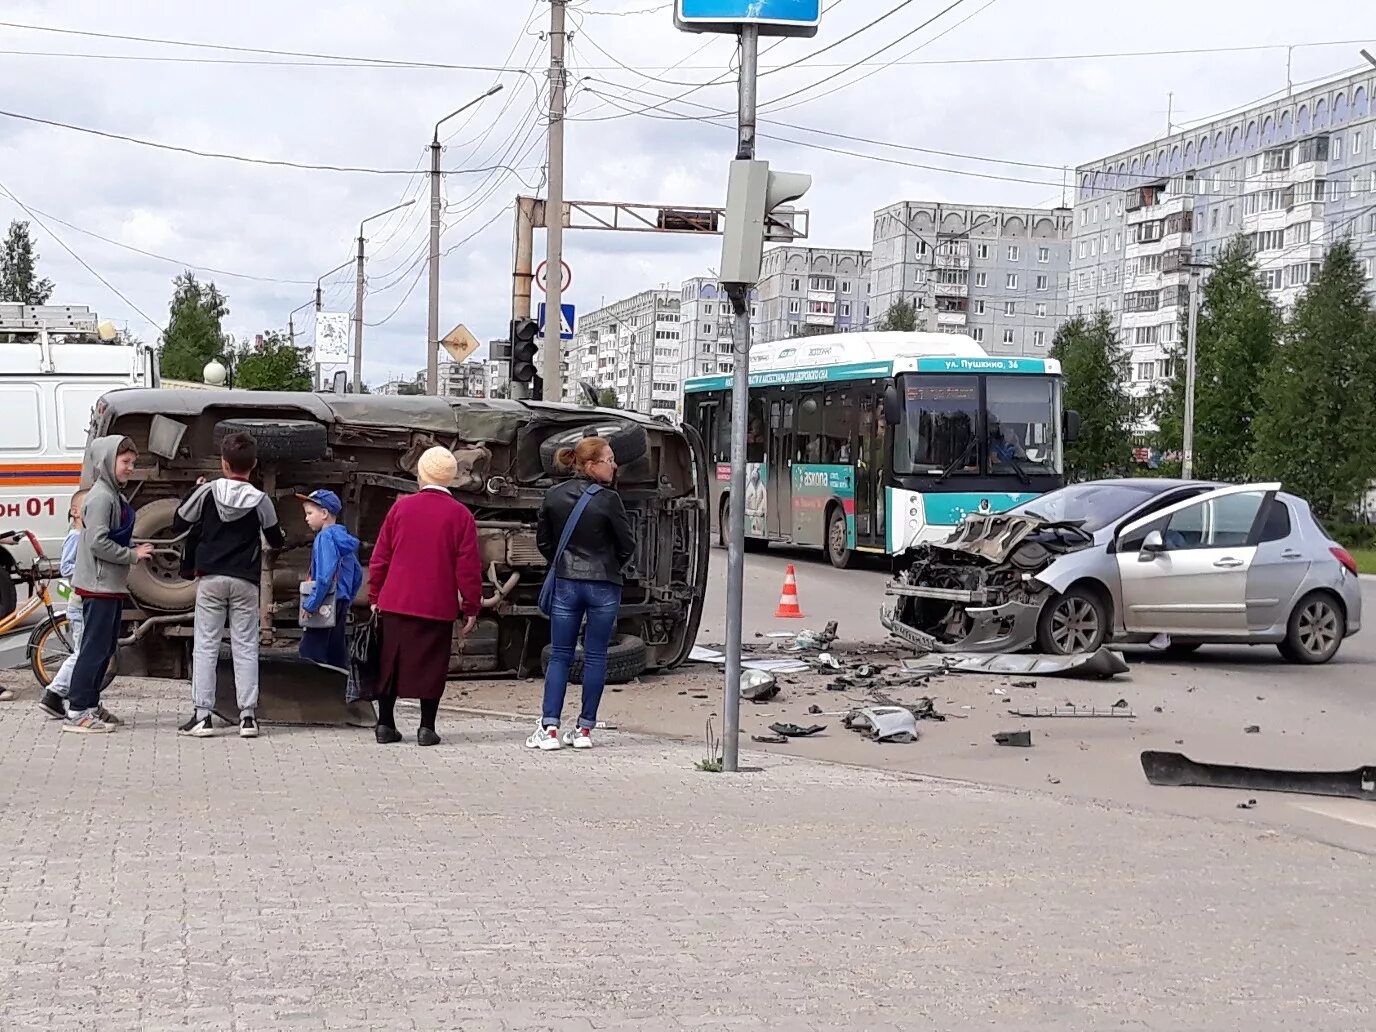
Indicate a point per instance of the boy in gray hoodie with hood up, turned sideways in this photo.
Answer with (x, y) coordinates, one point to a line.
(101, 579)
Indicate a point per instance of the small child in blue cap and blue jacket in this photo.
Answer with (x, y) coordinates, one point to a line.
(335, 568)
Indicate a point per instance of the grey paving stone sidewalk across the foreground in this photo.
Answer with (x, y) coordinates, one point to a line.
(313, 880)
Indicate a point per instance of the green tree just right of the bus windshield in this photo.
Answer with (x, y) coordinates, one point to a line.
(1096, 371)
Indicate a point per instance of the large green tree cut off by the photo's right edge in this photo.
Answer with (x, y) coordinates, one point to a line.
(1315, 431)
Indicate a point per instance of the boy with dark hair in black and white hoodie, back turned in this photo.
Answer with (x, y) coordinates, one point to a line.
(226, 522)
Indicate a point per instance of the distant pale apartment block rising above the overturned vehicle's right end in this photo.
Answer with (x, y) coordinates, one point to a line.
(631, 347)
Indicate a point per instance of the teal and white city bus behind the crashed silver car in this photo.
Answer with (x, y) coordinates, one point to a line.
(879, 442)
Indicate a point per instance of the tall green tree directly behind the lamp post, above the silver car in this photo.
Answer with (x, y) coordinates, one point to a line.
(1239, 330)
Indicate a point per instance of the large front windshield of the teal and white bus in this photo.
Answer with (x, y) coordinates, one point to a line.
(1002, 426)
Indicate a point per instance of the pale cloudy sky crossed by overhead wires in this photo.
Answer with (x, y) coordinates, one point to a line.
(987, 80)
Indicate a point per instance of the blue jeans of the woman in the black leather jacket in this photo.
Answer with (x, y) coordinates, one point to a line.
(599, 602)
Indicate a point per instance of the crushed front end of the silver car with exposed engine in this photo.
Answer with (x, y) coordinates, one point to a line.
(979, 591)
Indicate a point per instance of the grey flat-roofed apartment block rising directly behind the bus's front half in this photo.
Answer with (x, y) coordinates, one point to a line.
(998, 275)
